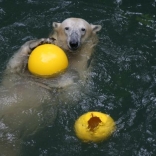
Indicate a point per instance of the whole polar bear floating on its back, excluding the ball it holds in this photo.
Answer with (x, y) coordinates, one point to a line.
(27, 102)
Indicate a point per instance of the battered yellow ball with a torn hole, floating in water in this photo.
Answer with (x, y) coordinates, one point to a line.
(94, 127)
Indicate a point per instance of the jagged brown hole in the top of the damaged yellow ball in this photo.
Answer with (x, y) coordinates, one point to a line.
(93, 122)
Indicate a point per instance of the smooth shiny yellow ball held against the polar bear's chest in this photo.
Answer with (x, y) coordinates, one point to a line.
(47, 60)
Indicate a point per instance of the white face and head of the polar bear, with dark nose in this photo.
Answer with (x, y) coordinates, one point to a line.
(73, 33)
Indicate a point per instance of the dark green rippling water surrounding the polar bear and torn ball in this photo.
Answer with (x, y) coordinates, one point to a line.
(123, 78)
